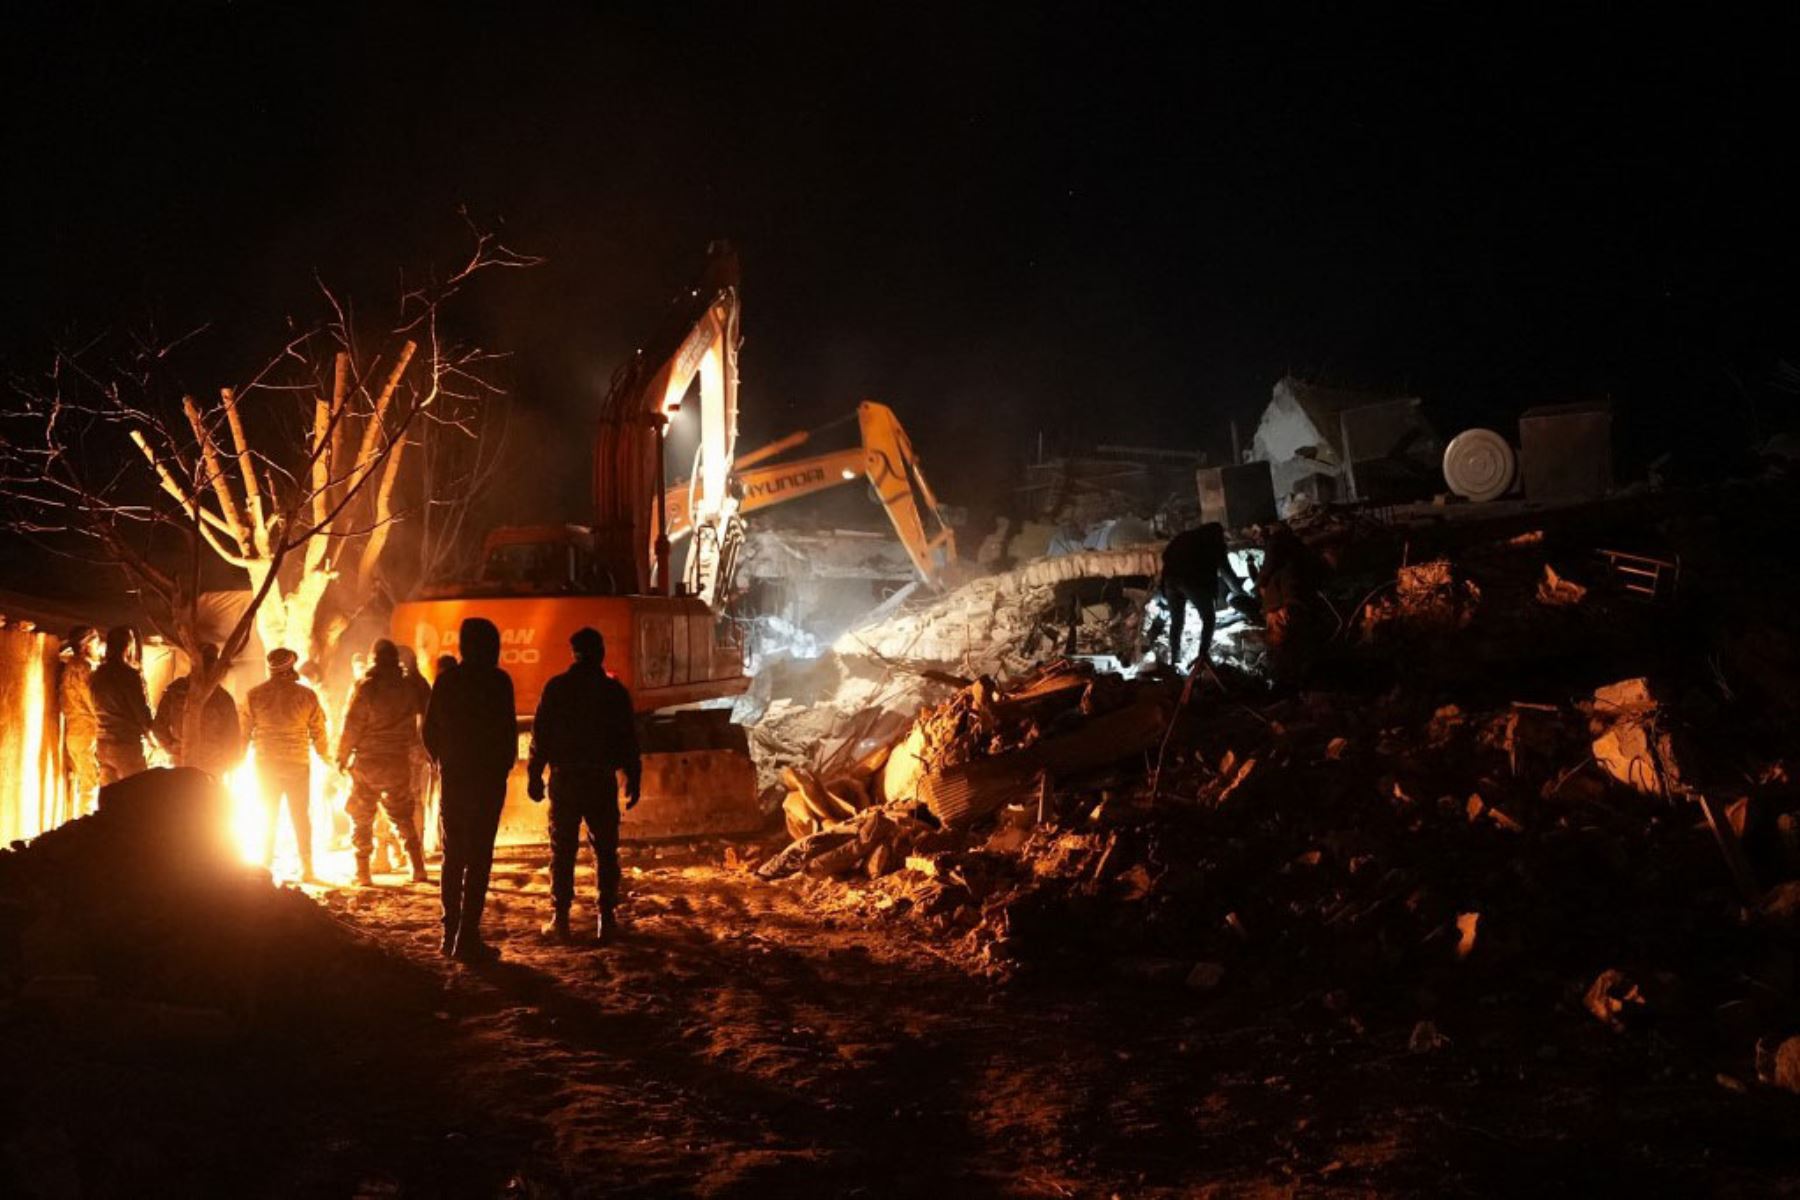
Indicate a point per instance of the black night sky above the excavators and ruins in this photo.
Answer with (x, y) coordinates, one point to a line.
(1056, 220)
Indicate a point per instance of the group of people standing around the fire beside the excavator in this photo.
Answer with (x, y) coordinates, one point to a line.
(465, 724)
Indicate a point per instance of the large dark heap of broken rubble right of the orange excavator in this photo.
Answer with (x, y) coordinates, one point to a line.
(1506, 789)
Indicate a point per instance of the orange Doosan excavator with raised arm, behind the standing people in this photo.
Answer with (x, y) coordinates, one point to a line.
(665, 641)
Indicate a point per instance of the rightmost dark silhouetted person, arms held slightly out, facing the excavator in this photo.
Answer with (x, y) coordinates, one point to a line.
(586, 733)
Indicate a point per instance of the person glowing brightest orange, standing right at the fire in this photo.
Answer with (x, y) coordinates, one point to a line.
(285, 722)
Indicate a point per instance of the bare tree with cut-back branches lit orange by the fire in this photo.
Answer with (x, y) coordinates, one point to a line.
(292, 478)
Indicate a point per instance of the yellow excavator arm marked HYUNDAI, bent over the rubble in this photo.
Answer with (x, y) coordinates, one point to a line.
(885, 460)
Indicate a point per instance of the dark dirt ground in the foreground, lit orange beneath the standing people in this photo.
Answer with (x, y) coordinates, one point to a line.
(741, 1044)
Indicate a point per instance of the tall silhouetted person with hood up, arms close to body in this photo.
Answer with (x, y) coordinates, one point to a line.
(472, 733)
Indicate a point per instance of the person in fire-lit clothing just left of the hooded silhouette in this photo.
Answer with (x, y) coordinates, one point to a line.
(381, 731)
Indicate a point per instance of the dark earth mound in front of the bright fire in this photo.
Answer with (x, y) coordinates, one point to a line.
(141, 924)
